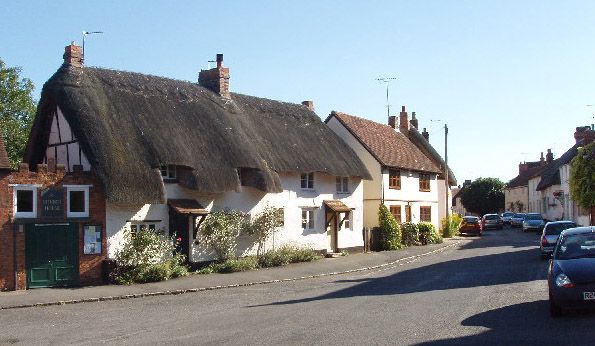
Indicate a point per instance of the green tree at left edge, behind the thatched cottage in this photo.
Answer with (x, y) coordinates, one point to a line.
(17, 111)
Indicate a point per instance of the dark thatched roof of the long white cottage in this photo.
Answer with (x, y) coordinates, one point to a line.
(129, 124)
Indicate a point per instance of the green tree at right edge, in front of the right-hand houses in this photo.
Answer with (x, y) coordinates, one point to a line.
(582, 176)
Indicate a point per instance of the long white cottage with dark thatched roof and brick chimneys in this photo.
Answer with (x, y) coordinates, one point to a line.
(167, 152)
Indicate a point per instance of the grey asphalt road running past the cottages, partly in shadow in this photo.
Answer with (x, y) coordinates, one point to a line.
(489, 290)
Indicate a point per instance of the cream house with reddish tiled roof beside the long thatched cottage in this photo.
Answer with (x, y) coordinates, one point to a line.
(404, 178)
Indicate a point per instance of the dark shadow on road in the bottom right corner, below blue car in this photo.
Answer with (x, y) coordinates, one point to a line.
(526, 323)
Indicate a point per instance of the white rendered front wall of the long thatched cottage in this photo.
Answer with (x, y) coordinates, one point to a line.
(251, 200)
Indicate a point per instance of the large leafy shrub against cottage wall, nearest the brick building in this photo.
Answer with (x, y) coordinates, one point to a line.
(148, 256)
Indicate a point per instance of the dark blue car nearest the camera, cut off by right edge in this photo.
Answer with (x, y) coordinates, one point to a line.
(571, 273)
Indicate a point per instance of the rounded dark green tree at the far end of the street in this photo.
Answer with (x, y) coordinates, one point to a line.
(484, 195)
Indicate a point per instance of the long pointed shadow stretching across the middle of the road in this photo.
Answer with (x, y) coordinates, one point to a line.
(487, 270)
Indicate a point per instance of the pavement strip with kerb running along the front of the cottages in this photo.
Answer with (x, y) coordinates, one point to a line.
(198, 283)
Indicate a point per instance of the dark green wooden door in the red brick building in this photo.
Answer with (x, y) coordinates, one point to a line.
(51, 253)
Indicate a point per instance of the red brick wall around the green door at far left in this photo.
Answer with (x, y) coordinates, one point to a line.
(89, 265)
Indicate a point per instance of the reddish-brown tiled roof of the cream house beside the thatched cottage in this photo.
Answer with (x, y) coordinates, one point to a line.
(390, 147)
